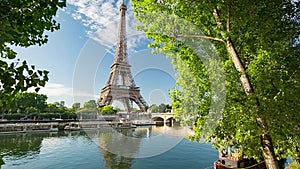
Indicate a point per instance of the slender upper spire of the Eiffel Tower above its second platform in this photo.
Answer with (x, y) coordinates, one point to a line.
(121, 46)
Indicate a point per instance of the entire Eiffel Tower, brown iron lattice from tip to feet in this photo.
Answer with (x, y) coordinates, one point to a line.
(120, 85)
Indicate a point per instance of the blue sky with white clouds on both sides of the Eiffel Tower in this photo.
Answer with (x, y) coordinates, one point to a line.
(80, 54)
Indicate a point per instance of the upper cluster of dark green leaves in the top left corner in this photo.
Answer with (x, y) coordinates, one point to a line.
(23, 23)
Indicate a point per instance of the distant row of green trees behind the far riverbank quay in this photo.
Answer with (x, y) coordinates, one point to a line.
(34, 106)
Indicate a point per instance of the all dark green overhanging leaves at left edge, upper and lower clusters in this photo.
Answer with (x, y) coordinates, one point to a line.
(23, 23)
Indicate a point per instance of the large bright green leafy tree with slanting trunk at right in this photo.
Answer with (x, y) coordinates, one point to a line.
(258, 43)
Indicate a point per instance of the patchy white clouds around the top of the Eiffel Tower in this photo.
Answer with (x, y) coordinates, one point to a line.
(101, 17)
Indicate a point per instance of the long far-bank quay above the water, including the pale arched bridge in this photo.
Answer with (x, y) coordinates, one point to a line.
(13, 126)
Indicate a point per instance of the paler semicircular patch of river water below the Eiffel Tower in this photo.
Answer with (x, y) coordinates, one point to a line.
(138, 142)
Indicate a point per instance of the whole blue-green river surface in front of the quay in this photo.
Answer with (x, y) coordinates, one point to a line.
(140, 148)
